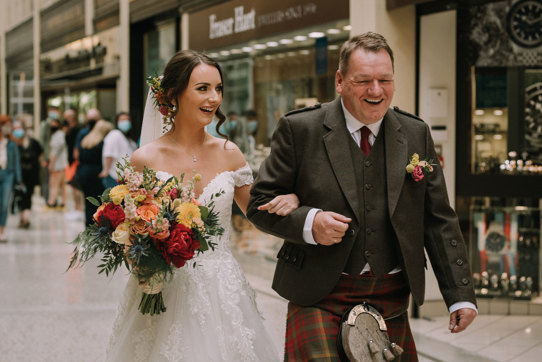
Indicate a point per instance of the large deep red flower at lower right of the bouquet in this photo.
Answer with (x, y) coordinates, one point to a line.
(180, 246)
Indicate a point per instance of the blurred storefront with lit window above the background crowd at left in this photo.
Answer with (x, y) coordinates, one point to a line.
(78, 70)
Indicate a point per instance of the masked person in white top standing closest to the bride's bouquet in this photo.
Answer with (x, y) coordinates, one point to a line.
(117, 145)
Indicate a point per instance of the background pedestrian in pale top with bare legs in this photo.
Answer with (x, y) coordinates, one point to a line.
(58, 161)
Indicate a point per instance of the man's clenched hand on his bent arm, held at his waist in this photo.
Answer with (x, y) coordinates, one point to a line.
(328, 227)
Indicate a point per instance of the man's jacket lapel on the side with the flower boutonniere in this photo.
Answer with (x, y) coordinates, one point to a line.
(396, 159)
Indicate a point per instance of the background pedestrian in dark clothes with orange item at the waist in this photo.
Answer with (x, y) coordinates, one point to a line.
(77, 195)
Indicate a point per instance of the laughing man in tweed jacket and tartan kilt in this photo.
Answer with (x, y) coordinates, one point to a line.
(363, 221)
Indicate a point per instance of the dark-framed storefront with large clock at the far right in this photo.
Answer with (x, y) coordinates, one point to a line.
(498, 158)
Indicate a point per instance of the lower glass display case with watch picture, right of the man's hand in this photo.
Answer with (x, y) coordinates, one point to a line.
(505, 251)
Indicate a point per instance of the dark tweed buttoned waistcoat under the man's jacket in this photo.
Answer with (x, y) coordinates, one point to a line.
(376, 242)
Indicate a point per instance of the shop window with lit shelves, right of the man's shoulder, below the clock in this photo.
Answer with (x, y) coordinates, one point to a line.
(507, 121)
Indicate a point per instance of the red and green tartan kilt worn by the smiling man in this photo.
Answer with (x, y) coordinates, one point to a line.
(311, 332)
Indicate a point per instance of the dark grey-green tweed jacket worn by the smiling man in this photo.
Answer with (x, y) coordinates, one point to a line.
(311, 158)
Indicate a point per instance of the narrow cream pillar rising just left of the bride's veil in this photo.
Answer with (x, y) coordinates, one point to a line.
(123, 84)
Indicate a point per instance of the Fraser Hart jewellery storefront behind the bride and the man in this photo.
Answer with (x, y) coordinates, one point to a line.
(276, 56)
